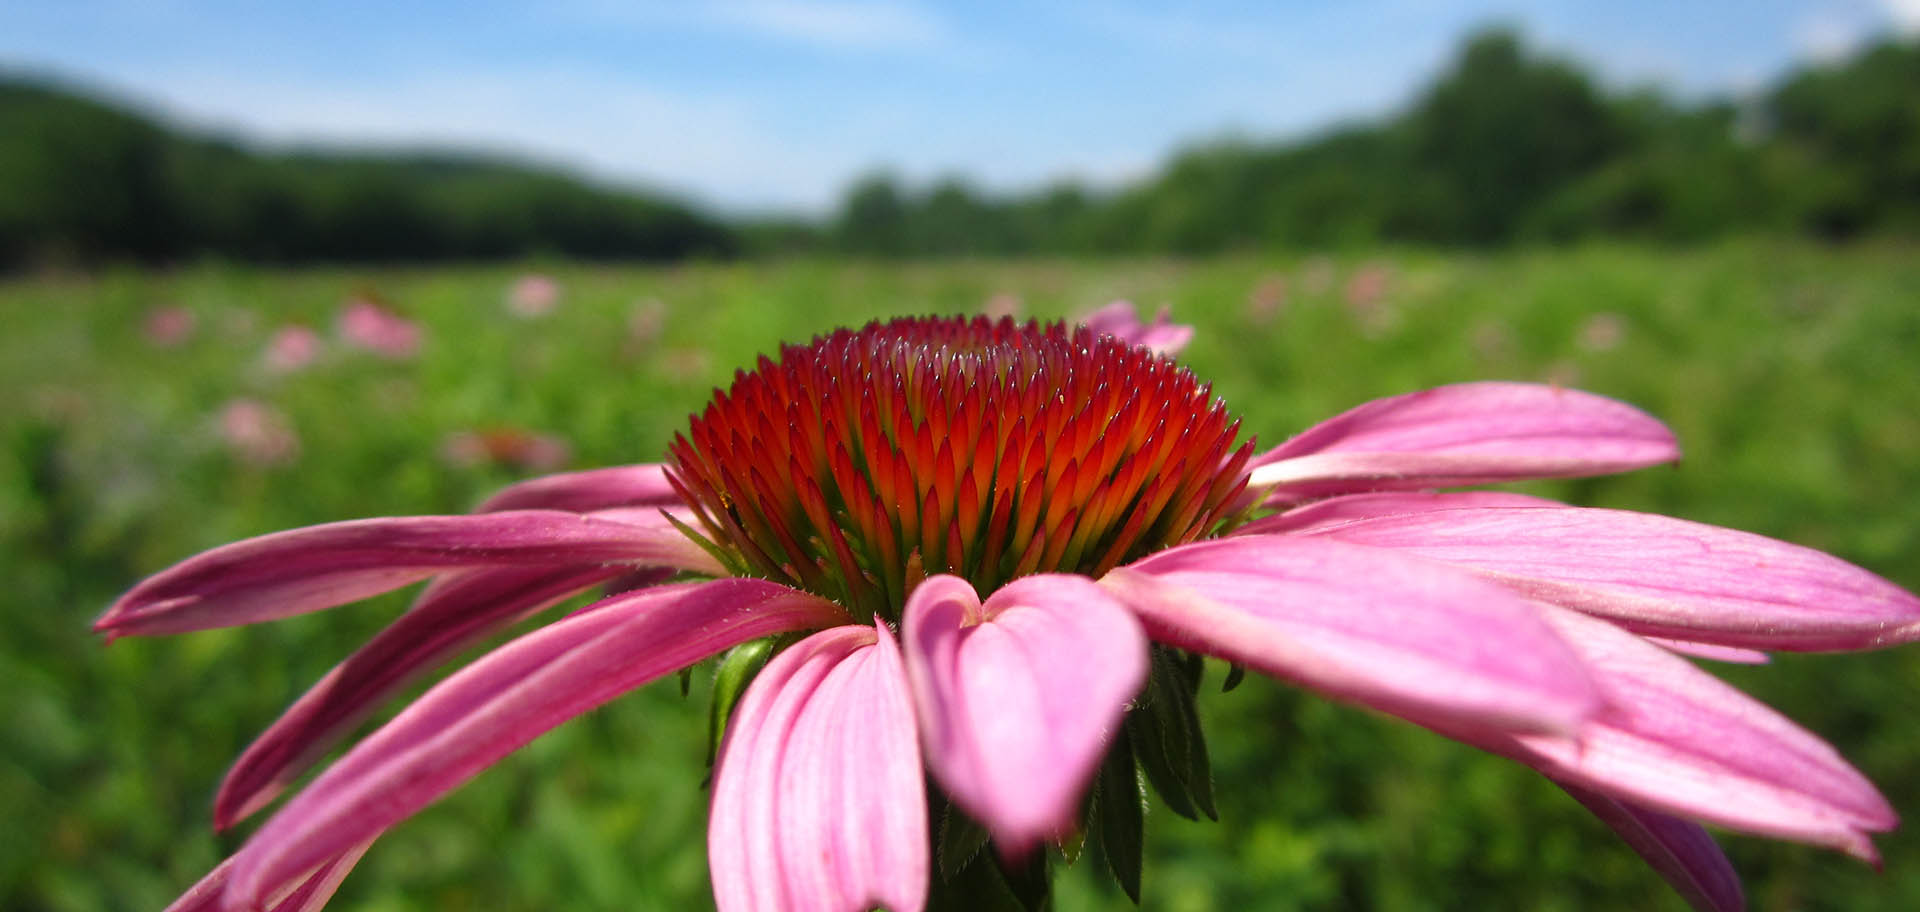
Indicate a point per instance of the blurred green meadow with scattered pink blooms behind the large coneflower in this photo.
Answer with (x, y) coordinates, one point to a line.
(1787, 370)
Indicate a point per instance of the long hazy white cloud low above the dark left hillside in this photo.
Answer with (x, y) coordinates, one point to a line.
(608, 128)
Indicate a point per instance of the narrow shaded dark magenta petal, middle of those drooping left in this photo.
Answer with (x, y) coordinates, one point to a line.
(452, 615)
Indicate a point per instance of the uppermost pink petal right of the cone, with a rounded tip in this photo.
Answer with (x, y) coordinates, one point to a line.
(1466, 435)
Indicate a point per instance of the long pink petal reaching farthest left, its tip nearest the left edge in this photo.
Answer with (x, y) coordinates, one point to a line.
(320, 567)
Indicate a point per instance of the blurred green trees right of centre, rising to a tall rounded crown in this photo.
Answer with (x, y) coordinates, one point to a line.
(1504, 147)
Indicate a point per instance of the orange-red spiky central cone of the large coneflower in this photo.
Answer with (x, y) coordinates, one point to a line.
(869, 460)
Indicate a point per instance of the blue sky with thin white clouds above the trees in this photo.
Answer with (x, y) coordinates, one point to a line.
(777, 105)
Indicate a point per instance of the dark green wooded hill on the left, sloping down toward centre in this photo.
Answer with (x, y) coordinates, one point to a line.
(84, 181)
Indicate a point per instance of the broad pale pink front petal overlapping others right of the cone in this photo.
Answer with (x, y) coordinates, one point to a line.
(1406, 636)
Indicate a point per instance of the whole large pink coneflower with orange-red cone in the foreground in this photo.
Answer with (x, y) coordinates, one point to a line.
(994, 554)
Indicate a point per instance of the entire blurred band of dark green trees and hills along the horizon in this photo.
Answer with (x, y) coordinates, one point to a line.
(1504, 147)
